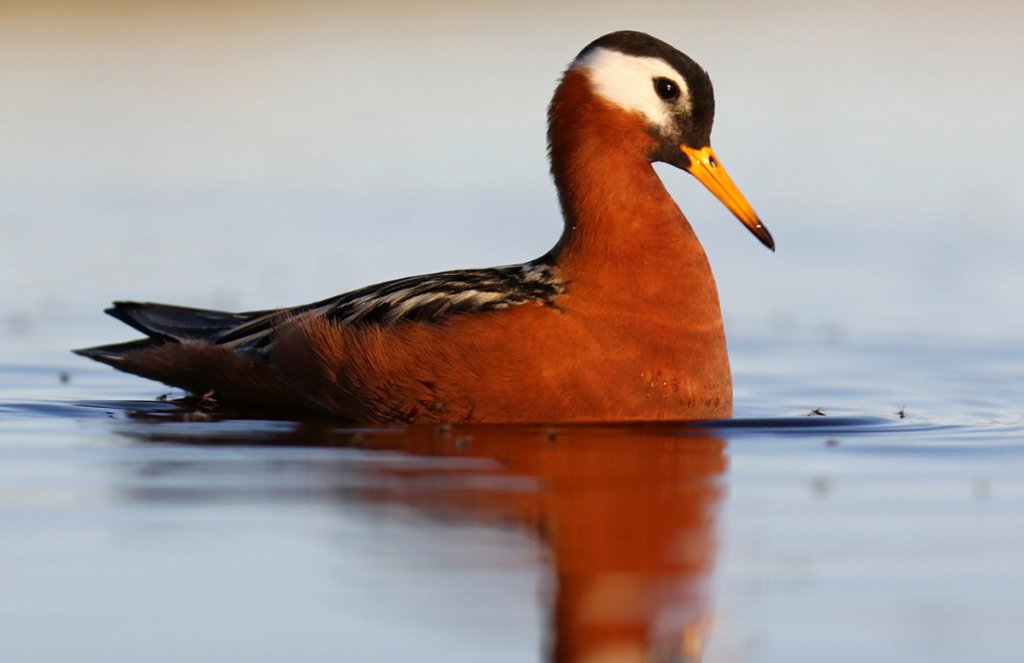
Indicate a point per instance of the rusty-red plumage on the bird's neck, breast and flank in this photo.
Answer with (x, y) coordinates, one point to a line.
(635, 335)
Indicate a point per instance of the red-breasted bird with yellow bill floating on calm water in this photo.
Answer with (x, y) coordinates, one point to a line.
(620, 321)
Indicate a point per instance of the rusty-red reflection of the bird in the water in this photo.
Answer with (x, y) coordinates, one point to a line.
(627, 513)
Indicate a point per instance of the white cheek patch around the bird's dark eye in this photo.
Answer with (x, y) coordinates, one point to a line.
(627, 81)
